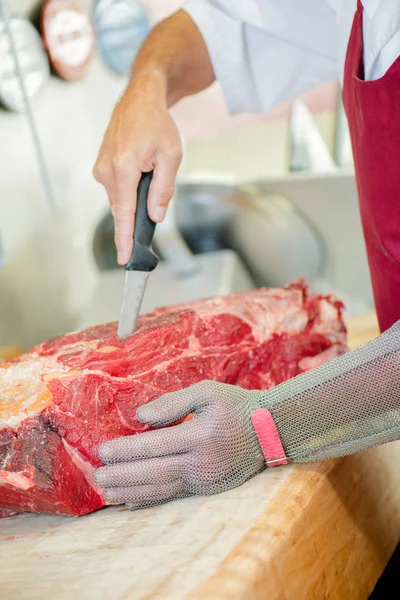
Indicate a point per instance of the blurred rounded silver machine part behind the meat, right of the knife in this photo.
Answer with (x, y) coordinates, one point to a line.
(273, 239)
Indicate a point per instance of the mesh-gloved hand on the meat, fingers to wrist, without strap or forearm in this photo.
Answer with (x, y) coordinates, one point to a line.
(214, 451)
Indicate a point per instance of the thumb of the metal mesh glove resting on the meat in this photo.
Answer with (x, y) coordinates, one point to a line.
(172, 407)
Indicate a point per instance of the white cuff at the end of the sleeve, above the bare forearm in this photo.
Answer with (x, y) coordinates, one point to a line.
(223, 36)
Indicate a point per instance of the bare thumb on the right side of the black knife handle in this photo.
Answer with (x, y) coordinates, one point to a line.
(162, 186)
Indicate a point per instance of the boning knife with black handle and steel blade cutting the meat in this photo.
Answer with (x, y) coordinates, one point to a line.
(141, 263)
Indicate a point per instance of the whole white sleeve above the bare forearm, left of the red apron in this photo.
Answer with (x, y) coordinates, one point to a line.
(267, 51)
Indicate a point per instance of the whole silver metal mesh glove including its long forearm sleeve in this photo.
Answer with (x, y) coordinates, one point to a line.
(349, 404)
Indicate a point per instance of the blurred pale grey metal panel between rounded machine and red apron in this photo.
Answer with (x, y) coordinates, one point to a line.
(329, 203)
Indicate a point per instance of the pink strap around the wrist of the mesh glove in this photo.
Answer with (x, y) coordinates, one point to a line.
(268, 437)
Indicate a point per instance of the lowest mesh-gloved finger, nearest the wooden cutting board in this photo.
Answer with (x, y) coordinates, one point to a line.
(144, 495)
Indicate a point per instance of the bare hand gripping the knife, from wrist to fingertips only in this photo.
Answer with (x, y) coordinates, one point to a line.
(141, 137)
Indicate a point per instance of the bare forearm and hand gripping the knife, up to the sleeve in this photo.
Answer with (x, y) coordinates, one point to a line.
(141, 137)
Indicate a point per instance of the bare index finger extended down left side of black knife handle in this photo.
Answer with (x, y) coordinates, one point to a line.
(123, 208)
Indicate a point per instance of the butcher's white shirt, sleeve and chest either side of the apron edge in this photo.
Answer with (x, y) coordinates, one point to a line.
(267, 51)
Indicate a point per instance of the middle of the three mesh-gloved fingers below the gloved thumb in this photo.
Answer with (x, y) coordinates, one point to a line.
(155, 470)
